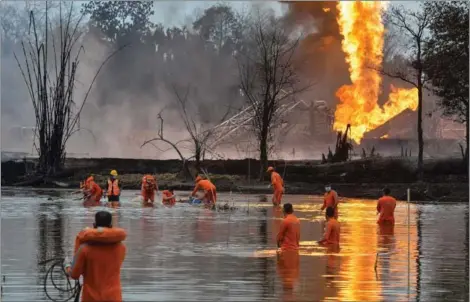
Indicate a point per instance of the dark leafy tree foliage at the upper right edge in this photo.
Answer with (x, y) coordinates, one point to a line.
(447, 58)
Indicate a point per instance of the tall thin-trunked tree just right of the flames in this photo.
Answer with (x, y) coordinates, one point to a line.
(413, 24)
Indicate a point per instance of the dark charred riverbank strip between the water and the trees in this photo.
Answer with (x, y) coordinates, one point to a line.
(445, 180)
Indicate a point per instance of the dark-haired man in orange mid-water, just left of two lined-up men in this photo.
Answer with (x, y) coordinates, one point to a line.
(288, 237)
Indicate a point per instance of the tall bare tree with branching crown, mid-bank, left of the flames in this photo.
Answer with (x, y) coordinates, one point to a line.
(268, 76)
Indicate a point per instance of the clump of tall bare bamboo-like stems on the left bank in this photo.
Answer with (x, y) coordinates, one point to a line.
(51, 59)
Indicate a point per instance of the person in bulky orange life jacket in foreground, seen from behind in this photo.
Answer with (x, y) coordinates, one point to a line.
(98, 257)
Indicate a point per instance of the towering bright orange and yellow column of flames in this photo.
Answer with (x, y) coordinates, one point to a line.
(361, 26)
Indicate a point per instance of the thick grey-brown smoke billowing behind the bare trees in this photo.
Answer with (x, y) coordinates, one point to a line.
(140, 82)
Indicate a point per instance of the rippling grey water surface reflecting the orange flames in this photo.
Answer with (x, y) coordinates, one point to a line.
(193, 254)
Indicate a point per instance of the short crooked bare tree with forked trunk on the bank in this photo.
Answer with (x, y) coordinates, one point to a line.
(199, 133)
